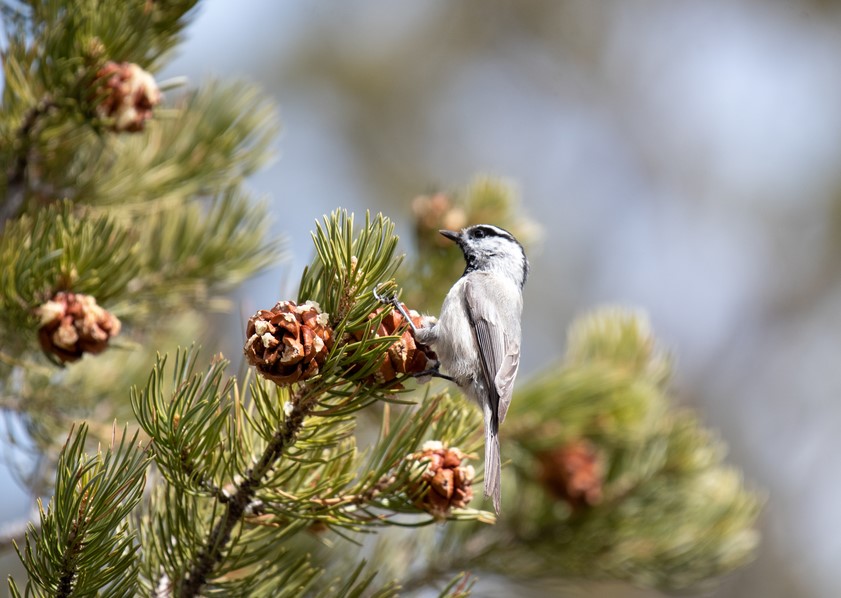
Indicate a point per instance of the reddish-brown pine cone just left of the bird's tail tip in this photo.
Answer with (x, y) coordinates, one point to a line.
(445, 484)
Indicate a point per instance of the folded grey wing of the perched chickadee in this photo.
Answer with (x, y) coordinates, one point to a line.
(499, 353)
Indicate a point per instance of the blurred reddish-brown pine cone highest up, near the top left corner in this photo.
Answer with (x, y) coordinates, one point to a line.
(128, 95)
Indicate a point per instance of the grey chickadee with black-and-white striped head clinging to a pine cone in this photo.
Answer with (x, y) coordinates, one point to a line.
(477, 336)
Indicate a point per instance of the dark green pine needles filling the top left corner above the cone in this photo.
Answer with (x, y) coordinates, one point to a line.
(52, 54)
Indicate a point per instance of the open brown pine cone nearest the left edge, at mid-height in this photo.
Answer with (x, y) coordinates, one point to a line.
(73, 324)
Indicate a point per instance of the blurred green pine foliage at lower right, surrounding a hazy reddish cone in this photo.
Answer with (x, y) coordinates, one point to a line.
(670, 514)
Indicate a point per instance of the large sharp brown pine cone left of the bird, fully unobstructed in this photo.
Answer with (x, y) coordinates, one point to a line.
(289, 342)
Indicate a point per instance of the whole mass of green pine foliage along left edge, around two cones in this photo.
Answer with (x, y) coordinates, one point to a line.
(155, 225)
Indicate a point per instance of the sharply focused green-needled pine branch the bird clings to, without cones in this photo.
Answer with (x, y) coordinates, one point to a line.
(286, 453)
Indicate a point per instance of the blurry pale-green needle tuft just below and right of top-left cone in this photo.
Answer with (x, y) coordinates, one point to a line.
(207, 142)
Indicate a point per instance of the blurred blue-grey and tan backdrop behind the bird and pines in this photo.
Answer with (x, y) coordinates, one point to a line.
(682, 157)
